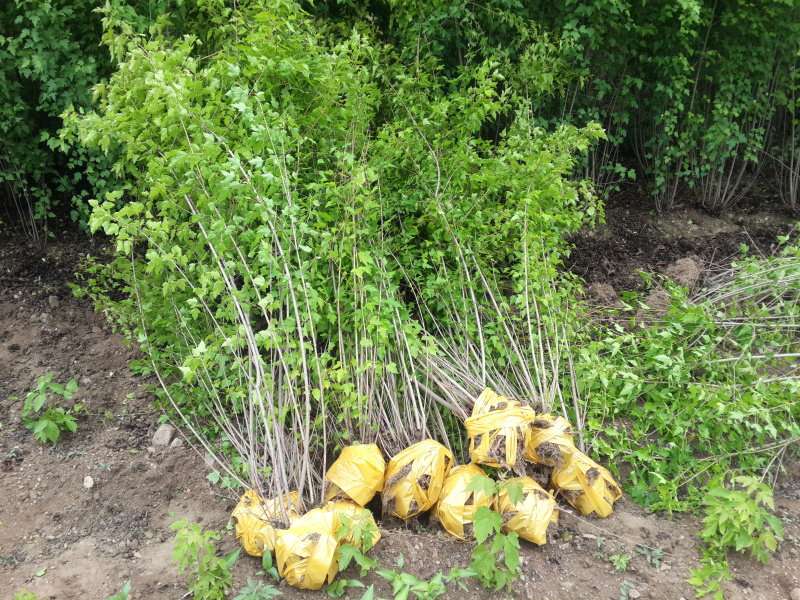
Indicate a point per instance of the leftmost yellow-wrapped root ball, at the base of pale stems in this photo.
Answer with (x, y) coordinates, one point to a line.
(255, 520)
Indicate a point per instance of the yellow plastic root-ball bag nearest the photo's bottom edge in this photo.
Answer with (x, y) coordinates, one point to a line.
(306, 552)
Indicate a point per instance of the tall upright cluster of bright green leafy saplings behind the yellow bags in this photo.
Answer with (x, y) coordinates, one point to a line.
(299, 195)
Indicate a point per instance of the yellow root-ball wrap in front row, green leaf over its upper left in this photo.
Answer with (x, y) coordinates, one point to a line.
(530, 517)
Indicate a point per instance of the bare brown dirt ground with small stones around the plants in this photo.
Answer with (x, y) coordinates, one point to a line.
(86, 543)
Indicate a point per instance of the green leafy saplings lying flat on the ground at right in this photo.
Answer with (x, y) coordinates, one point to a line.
(689, 397)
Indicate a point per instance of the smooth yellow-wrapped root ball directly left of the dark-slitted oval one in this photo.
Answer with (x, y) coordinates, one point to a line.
(357, 474)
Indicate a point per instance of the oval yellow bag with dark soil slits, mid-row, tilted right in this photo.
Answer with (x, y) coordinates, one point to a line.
(414, 479)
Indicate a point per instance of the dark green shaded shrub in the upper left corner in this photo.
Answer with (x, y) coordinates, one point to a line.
(49, 60)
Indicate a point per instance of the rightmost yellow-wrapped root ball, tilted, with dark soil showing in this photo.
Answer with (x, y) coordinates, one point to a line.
(586, 485)
